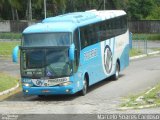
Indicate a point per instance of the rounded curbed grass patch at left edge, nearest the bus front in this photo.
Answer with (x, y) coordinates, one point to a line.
(7, 82)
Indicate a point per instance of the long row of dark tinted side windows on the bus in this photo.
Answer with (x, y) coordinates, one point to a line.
(101, 31)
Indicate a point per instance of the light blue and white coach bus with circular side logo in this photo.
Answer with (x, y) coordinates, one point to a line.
(68, 53)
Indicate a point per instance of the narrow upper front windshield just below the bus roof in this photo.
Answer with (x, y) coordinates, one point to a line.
(46, 39)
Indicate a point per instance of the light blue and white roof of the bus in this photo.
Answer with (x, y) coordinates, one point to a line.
(69, 22)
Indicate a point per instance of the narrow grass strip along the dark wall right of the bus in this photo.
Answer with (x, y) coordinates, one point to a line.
(146, 37)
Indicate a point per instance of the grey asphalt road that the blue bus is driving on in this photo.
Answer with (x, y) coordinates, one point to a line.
(103, 97)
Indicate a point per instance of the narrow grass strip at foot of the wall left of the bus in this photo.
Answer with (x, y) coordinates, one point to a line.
(10, 36)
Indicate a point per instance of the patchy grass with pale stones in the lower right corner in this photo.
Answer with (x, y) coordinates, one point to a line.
(150, 97)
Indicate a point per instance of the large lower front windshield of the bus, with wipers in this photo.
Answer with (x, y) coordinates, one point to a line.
(45, 62)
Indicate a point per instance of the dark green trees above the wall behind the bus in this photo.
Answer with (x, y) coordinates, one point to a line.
(145, 9)
